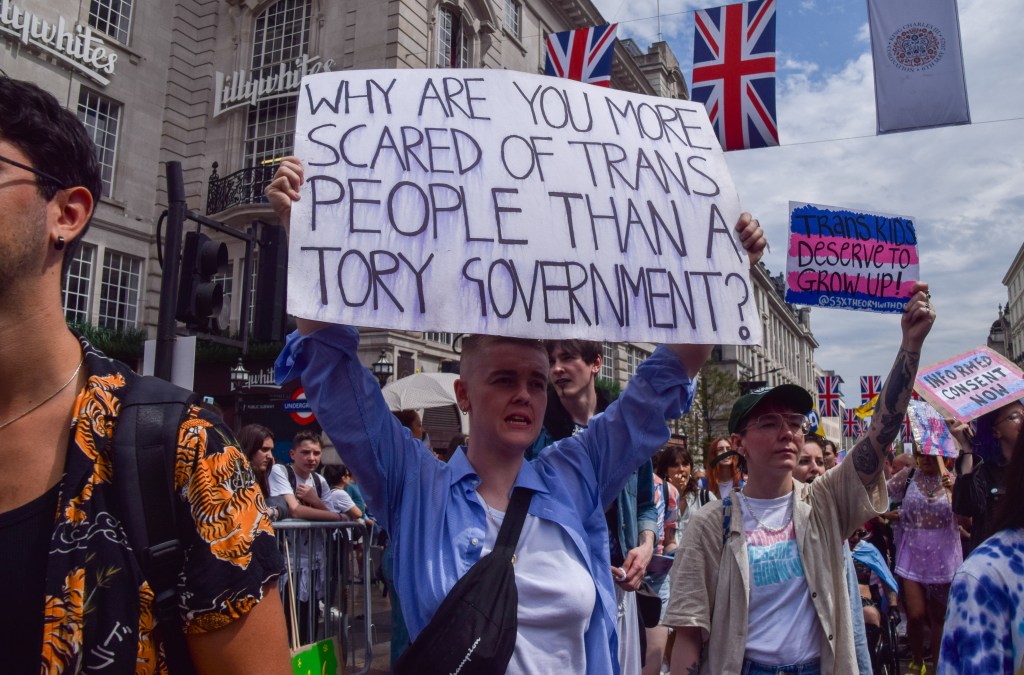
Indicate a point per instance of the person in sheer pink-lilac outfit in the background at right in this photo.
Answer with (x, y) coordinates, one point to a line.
(928, 552)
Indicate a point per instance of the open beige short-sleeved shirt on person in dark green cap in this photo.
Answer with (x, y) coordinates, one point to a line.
(710, 588)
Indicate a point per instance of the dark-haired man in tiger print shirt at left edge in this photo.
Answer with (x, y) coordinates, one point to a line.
(75, 596)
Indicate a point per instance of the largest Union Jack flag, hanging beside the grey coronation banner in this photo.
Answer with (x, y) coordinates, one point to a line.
(735, 72)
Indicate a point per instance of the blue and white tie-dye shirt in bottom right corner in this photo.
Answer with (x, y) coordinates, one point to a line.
(985, 629)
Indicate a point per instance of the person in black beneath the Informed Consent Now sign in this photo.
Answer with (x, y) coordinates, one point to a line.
(979, 486)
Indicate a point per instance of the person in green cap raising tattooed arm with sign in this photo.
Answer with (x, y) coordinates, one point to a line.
(767, 566)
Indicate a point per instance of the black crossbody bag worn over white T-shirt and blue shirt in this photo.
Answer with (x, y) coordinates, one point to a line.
(474, 631)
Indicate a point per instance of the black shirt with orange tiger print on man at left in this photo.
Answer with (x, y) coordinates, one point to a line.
(99, 609)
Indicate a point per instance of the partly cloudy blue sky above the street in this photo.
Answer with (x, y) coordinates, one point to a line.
(963, 185)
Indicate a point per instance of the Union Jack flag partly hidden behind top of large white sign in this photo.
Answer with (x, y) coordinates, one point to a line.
(584, 55)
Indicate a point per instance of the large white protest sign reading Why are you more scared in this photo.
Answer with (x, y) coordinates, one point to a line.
(507, 203)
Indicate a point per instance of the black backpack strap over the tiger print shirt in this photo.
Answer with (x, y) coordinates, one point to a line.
(145, 449)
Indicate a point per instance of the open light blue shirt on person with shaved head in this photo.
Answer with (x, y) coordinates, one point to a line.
(431, 510)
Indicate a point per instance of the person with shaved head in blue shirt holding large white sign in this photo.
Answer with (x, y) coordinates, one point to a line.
(444, 518)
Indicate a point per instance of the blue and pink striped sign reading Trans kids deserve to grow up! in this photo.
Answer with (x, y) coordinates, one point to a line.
(850, 260)
